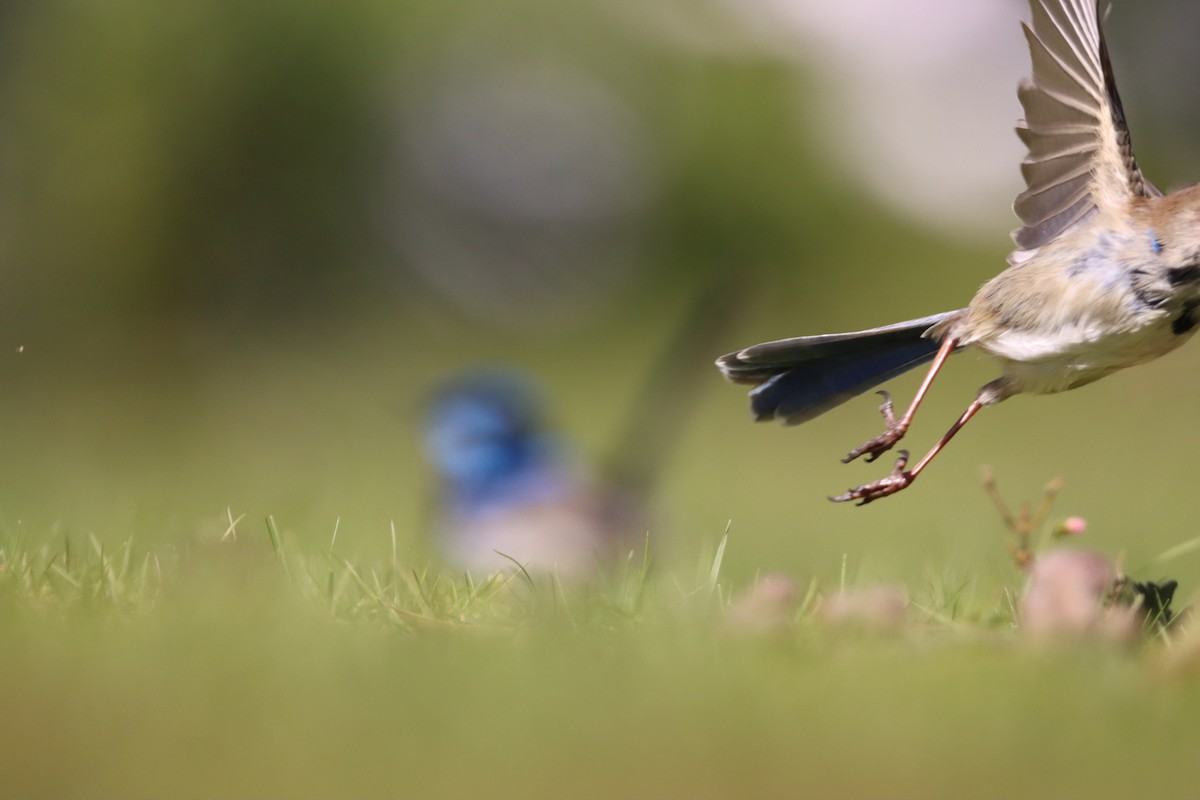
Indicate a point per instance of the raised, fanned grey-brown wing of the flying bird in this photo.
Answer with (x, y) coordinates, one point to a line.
(1081, 158)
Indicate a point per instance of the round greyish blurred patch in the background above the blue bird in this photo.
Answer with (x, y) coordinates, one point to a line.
(521, 185)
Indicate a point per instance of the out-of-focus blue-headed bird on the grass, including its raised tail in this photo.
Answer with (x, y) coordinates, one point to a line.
(513, 492)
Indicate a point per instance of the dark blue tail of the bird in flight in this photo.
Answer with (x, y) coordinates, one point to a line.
(801, 378)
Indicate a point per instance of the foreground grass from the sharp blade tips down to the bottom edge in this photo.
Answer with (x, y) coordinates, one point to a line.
(251, 665)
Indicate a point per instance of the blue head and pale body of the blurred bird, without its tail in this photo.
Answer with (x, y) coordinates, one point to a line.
(511, 492)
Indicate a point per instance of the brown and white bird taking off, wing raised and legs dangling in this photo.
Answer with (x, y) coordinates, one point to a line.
(1106, 274)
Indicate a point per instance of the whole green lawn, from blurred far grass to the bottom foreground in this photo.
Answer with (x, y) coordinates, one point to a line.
(158, 645)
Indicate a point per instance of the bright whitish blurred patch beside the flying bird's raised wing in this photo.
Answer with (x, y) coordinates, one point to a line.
(917, 100)
